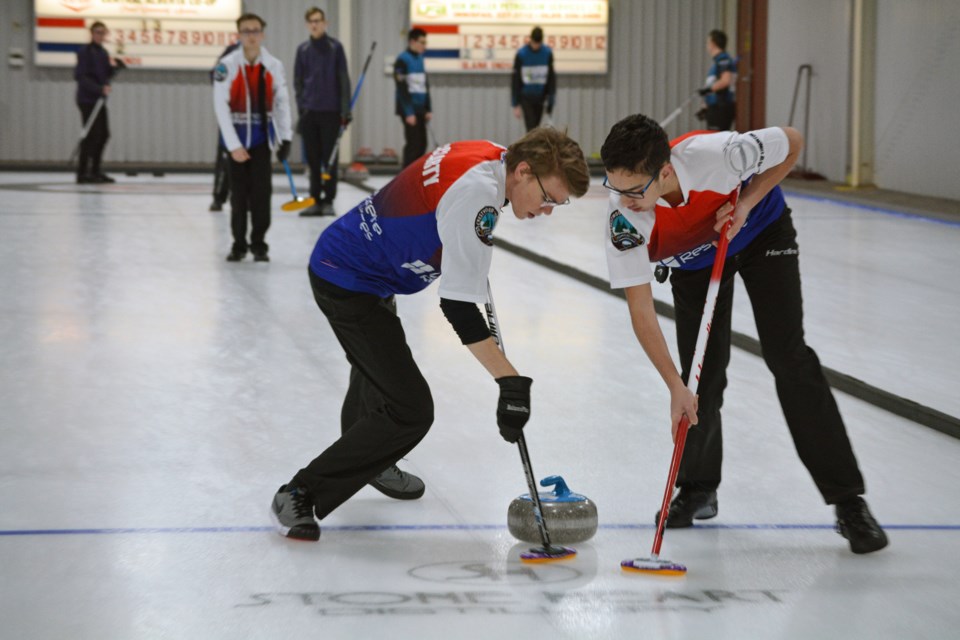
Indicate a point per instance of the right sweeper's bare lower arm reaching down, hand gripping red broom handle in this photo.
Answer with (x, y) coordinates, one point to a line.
(646, 327)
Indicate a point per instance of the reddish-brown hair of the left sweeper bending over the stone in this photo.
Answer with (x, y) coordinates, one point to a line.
(551, 152)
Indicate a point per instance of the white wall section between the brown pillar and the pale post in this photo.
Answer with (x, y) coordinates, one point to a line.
(814, 32)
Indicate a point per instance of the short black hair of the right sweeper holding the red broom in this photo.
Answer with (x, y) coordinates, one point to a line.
(637, 144)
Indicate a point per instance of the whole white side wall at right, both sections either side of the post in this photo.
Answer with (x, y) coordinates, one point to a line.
(917, 136)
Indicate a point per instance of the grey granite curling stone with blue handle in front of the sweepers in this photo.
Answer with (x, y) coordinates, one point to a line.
(570, 517)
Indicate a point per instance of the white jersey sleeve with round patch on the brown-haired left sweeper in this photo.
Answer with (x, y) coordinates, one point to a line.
(466, 216)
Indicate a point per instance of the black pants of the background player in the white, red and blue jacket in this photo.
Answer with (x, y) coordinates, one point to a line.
(250, 191)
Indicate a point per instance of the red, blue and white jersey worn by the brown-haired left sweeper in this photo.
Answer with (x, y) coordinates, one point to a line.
(436, 217)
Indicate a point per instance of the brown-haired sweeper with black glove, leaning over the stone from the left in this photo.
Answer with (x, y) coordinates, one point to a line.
(434, 222)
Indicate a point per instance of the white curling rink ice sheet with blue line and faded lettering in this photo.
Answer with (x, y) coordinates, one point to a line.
(155, 396)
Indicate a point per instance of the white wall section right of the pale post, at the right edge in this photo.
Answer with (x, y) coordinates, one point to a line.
(918, 94)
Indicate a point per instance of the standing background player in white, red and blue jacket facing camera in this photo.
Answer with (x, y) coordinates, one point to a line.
(253, 113)
